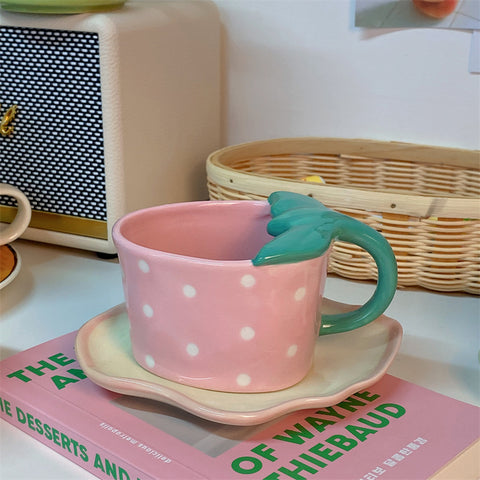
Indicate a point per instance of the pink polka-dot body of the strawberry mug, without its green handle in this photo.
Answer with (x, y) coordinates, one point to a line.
(201, 314)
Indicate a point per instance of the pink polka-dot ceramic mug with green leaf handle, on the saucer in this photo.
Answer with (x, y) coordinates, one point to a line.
(224, 295)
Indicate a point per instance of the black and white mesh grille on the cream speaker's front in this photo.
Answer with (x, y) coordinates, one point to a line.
(55, 155)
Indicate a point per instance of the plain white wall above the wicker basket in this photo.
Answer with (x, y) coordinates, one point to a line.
(300, 68)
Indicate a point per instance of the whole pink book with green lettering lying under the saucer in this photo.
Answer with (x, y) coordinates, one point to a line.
(393, 430)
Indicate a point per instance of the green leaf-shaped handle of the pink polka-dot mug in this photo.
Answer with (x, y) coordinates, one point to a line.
(304, 228)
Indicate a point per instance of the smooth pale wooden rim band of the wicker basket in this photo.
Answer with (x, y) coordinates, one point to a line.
(394, 202)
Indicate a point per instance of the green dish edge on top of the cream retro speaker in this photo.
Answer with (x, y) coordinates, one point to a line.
(60, 6)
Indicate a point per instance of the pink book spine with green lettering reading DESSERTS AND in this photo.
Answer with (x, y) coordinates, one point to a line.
(87, 454)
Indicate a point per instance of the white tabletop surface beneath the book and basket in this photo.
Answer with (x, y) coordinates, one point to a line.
(58, 289)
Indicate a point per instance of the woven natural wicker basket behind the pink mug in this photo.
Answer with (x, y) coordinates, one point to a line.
(425, 200)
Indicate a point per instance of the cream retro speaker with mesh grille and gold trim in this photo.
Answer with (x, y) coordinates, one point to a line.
(105, 113)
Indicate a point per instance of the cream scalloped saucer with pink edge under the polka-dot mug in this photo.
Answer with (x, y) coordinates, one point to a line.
(344, 364)
